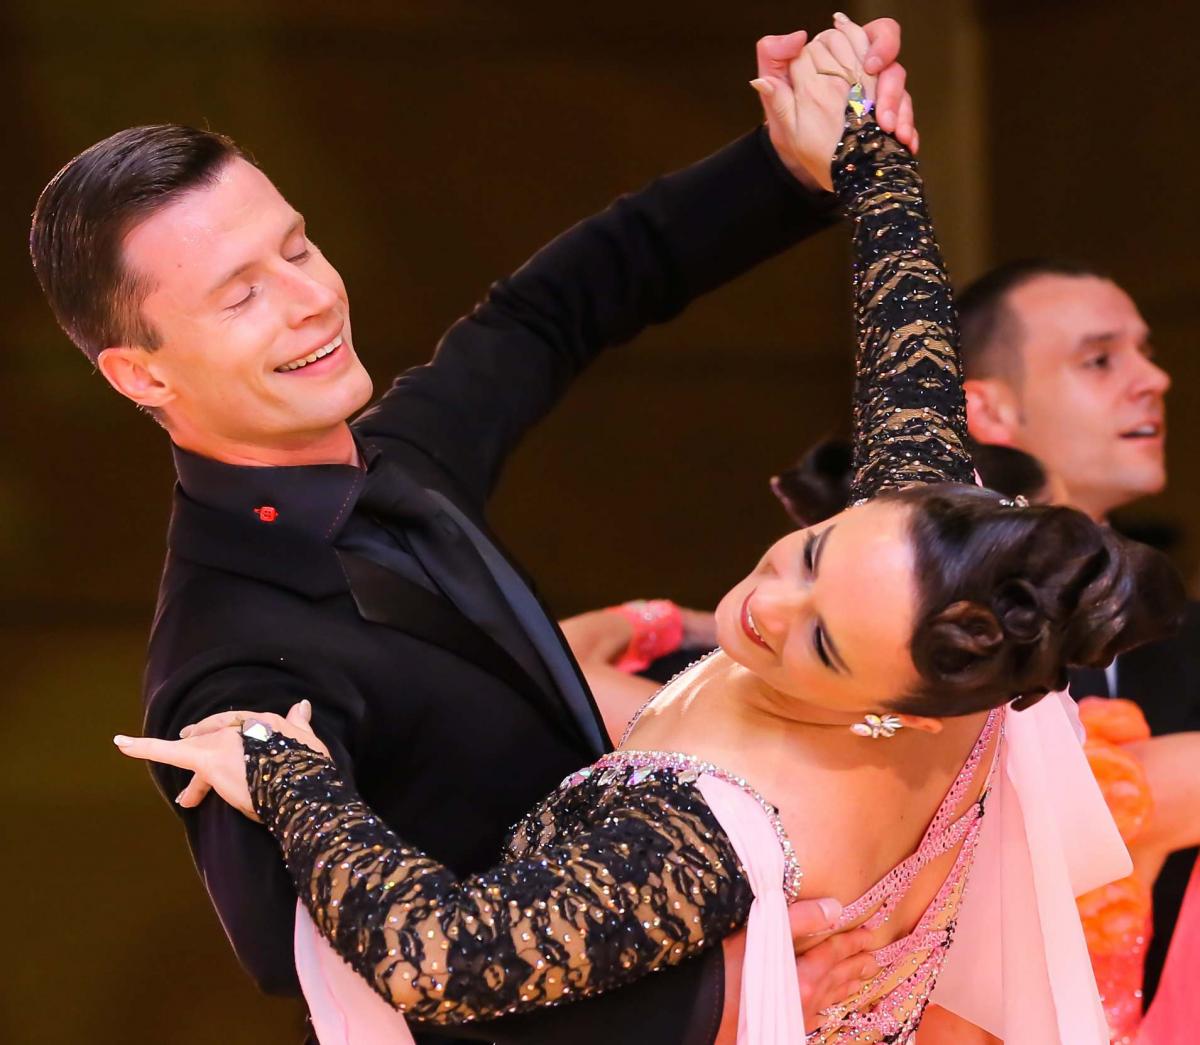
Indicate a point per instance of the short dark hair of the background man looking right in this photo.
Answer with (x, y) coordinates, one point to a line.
(989, 333)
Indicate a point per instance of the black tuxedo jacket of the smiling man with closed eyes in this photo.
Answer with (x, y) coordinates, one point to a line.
(439, 728)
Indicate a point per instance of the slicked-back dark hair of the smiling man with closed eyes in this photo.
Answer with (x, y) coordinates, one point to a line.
(85, 214)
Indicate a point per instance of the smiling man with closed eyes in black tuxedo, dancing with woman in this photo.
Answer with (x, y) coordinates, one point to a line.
(351, 564)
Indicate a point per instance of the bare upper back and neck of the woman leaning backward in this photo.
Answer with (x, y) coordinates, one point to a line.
(854, 809)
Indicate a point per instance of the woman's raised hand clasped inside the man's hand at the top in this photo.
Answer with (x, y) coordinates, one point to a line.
(806, 111)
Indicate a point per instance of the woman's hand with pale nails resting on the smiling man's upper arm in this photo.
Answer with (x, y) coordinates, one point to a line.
(214, 752)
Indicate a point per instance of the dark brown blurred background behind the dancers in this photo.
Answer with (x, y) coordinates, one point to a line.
(433, 147)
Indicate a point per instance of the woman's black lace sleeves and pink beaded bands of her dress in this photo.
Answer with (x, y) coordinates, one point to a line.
(626, 869)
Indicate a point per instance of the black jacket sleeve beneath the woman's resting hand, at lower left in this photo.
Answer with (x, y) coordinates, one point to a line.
(238, 860)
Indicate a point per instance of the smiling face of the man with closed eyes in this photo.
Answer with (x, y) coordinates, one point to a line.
(241, 299)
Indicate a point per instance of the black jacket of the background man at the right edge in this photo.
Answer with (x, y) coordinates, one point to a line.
(1165, 680)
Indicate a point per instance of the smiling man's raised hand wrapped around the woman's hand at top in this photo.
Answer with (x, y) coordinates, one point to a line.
(893, 105)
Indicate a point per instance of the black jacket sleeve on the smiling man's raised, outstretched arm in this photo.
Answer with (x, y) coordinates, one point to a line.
(640, 262)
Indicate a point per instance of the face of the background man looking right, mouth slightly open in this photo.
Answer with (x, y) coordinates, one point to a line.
(1090, 403)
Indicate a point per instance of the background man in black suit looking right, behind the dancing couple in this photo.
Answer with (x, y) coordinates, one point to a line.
(1059, 365)
